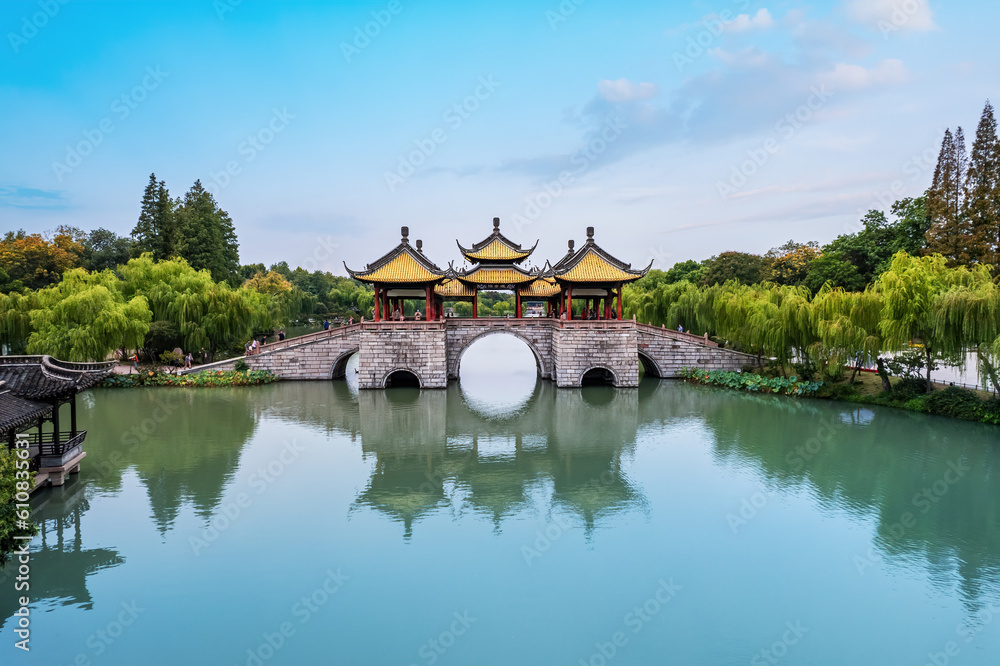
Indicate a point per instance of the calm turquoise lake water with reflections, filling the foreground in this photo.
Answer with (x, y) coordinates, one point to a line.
(508, 522)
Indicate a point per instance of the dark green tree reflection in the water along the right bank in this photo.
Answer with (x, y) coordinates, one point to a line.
(875, 464)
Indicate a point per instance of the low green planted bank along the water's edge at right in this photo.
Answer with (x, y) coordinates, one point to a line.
(906, 393)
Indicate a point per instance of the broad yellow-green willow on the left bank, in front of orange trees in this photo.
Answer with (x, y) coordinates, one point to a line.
(85, 317)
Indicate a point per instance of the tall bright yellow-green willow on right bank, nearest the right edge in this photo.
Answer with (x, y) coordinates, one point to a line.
(910, 289)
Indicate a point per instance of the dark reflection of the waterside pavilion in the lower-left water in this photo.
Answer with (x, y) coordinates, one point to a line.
(59, 562)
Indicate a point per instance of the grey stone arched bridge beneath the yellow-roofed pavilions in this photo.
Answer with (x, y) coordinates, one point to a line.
(430, 352)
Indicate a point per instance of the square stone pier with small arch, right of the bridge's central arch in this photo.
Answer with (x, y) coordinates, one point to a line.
(581, 346)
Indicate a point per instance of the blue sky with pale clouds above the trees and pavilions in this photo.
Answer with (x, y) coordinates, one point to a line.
(677, 130)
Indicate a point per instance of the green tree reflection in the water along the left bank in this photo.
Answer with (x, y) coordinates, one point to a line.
(184, 444)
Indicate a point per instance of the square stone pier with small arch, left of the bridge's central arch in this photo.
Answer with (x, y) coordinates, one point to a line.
(417, 347)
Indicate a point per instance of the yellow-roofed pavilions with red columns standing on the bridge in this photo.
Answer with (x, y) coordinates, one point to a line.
(589, 274)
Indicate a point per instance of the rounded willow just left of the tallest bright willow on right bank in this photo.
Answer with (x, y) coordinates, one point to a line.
(847, 325)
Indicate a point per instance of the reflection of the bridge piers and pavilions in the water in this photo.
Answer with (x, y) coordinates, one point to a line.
(434, 453)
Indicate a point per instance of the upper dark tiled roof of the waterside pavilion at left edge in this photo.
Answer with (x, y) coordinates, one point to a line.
(45, 378)
